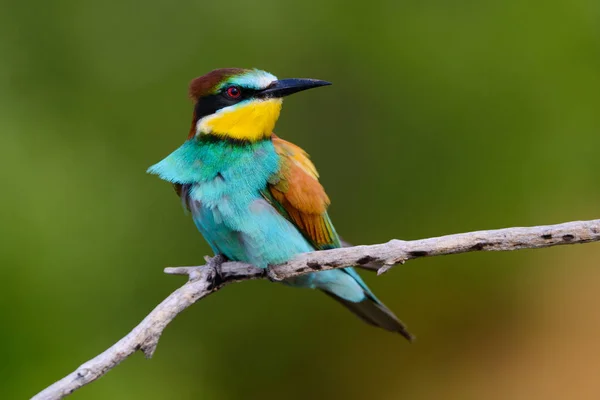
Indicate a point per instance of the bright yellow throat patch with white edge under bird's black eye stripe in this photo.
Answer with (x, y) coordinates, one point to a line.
(252, 120)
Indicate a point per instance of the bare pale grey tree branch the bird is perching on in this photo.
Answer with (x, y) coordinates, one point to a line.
(217, 273)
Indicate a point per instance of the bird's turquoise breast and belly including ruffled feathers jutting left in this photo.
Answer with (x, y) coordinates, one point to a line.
(224, 181)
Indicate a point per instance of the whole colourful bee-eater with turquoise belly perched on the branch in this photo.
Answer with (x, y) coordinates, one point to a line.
(255, 197)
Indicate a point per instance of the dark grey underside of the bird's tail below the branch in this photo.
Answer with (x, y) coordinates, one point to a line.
(375, 313)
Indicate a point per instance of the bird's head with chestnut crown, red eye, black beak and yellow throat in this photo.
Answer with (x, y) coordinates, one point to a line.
(241, 104)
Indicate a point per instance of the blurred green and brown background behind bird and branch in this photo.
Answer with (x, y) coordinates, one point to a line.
(444, 117)
